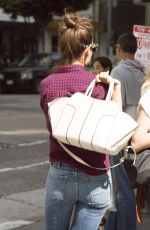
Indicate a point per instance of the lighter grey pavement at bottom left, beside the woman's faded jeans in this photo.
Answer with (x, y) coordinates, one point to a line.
(24, 211)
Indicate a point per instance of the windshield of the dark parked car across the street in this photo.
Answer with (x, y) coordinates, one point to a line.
(40, 60)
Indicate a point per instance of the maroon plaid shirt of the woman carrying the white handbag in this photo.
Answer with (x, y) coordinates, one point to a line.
(64, 82)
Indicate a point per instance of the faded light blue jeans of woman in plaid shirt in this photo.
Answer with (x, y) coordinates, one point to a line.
(75, 200)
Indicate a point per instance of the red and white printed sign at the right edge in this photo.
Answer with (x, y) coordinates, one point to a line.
(142, 33)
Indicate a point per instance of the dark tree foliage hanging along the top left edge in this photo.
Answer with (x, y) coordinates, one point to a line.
(41, 10)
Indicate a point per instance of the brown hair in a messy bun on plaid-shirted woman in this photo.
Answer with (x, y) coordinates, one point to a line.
(75, 34)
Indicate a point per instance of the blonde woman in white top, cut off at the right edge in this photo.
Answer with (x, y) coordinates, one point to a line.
(141, 137)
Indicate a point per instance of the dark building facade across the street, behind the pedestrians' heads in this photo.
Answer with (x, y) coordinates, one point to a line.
(110, 19)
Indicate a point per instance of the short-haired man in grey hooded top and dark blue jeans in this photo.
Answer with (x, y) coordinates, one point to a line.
(130, 73)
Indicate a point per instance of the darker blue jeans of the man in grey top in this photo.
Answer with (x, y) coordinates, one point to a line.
(125, 217)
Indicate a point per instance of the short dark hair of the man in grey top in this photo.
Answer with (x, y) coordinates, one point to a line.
(127, 42)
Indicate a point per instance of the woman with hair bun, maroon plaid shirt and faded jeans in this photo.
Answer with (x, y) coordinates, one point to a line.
(76, 196)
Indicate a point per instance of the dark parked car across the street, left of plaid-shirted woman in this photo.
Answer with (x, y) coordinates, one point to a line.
(28, 74)
